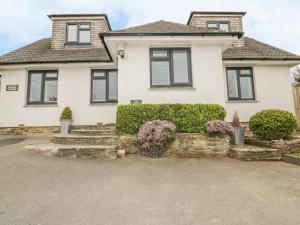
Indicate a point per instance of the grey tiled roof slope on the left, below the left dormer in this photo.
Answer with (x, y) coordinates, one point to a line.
(40, 52)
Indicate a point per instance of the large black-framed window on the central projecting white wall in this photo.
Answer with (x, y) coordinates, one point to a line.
(170, 67)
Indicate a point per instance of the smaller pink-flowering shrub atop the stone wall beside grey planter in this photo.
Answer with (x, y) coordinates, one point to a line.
(219, 127)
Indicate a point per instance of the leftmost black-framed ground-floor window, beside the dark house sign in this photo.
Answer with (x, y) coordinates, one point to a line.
(42, 87)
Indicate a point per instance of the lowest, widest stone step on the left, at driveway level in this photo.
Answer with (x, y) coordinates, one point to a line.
(76, 151)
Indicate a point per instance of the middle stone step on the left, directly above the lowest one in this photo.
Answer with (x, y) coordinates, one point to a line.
(85, 140)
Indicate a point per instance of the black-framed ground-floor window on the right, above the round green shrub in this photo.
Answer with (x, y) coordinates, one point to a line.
(240, 85)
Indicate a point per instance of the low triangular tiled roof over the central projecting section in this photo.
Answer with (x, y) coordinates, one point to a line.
(163, 26)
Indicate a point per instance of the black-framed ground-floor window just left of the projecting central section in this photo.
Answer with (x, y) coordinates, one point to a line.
(104, 86)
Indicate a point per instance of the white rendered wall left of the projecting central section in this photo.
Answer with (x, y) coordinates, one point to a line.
(73, 91)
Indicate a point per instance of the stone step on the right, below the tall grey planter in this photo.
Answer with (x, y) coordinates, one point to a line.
(256, 153)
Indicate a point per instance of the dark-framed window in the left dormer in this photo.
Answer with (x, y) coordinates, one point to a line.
(79, 33)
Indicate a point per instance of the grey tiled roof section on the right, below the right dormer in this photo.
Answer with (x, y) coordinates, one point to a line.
(258, 50)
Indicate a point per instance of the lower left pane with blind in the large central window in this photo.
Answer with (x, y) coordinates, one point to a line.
(160, 73)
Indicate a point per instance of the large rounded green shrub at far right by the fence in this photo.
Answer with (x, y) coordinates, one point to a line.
(273, 124)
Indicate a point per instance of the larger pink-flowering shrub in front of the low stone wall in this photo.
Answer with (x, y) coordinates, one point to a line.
(154, 137)
